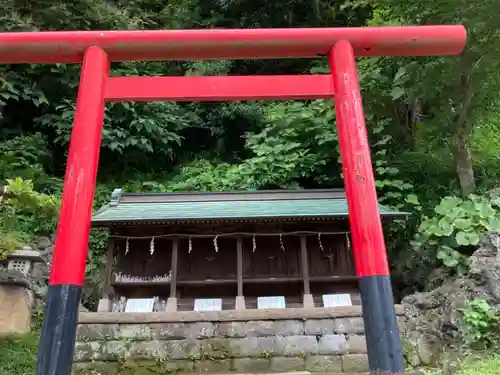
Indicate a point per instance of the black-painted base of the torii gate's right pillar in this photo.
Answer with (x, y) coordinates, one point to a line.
(385, 353)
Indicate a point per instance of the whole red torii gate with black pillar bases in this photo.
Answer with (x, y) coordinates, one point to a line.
(95, 49)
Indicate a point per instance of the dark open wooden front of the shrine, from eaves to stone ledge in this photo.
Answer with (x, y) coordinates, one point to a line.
(207, 267)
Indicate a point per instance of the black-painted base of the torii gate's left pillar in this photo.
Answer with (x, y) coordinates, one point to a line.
(57, 340)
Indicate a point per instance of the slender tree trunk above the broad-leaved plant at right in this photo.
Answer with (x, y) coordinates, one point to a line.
(463, 163)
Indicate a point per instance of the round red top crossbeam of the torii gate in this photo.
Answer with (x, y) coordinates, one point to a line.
(159, 45)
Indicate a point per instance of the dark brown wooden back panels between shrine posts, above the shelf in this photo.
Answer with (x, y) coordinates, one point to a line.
(263, 257)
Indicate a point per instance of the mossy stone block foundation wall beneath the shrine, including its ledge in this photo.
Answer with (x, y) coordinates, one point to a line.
(251, 341)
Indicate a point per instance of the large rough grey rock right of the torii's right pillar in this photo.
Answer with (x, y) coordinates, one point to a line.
(433, 322)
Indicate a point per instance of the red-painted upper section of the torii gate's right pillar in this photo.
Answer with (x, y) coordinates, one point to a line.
(366, 228)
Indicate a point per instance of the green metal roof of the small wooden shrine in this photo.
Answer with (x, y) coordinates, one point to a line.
(169, 207)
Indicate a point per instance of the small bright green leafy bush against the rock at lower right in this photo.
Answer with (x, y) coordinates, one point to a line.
(482, 324)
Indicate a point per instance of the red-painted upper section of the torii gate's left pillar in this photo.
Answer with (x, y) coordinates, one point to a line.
(70, 253)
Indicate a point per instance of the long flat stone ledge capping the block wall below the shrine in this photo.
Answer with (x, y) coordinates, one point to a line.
(224, 316)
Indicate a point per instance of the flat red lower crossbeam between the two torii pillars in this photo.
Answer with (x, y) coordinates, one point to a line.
(214, 89)
